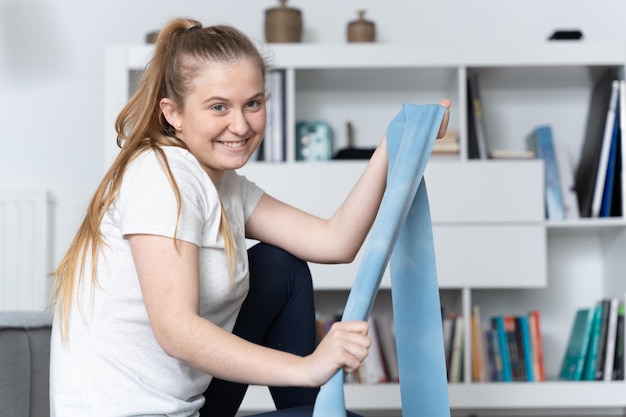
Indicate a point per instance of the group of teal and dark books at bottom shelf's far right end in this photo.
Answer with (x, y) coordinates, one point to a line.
(595, 348)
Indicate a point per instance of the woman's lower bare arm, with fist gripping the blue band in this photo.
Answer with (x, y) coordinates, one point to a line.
(169, 280)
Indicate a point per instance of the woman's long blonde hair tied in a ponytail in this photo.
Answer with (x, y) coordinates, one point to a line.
(181, 49)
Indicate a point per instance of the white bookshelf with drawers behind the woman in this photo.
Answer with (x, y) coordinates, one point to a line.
(494, 247)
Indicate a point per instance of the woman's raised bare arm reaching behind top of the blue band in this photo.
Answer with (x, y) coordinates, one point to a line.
(333, 240)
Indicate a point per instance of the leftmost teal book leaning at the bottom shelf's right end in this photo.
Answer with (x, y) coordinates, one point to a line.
(578, 342)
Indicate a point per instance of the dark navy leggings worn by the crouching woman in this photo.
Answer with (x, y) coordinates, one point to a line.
(279, 312)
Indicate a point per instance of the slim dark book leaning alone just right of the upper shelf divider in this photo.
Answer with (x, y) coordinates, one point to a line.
(477, 142)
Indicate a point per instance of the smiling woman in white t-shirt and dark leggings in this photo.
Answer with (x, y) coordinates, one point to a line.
(149, 291)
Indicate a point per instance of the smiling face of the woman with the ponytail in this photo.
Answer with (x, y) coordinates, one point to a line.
(222, 119)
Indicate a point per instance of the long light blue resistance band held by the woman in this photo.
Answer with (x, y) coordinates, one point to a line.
(402, 236)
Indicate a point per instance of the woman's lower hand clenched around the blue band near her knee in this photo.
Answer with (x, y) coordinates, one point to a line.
(344, 346)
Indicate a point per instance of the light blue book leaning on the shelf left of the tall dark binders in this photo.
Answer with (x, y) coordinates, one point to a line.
(542, 142)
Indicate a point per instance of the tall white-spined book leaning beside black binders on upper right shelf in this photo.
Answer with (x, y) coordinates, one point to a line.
(603, 163)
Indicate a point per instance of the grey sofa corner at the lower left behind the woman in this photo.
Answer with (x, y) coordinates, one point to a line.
(24, 364)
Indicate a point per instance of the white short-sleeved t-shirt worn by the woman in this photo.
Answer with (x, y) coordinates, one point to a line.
(113, 365)
